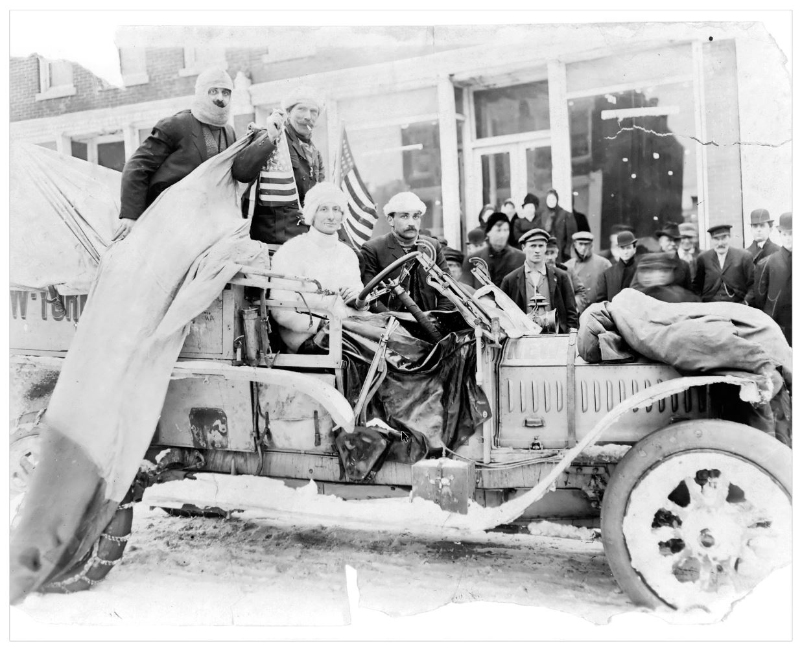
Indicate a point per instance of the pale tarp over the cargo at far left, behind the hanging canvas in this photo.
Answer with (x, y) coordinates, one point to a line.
(63, 212)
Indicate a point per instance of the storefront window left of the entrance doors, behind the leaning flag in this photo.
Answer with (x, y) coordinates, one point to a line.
(397, 155)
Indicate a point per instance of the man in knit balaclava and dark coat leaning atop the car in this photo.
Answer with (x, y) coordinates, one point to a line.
(176, 146)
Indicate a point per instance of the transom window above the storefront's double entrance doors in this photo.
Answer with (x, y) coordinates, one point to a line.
(512, 109)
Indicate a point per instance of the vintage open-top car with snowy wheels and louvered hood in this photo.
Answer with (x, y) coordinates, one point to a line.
(694, 509)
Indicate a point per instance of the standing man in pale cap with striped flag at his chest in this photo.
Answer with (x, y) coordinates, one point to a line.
(273, 224)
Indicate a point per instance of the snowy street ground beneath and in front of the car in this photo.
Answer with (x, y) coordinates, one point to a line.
(260, 569)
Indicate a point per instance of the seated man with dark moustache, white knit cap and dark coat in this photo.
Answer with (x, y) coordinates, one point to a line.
(404, 212)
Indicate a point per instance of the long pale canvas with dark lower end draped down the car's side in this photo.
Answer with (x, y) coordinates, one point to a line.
(112, 385)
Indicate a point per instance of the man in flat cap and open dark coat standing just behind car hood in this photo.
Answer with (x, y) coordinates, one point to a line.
(536, 277)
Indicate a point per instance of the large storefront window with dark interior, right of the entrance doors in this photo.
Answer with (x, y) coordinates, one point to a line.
(632, 151)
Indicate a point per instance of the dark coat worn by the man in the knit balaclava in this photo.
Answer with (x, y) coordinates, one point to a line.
(173, 150)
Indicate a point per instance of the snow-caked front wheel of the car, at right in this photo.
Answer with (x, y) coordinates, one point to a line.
(697, 514)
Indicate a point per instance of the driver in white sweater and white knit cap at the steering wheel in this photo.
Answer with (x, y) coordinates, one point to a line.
(320, 255)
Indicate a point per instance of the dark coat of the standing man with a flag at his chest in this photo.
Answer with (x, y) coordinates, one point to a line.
(276, 225)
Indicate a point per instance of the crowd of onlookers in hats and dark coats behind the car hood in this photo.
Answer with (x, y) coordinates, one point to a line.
(545, 259)
